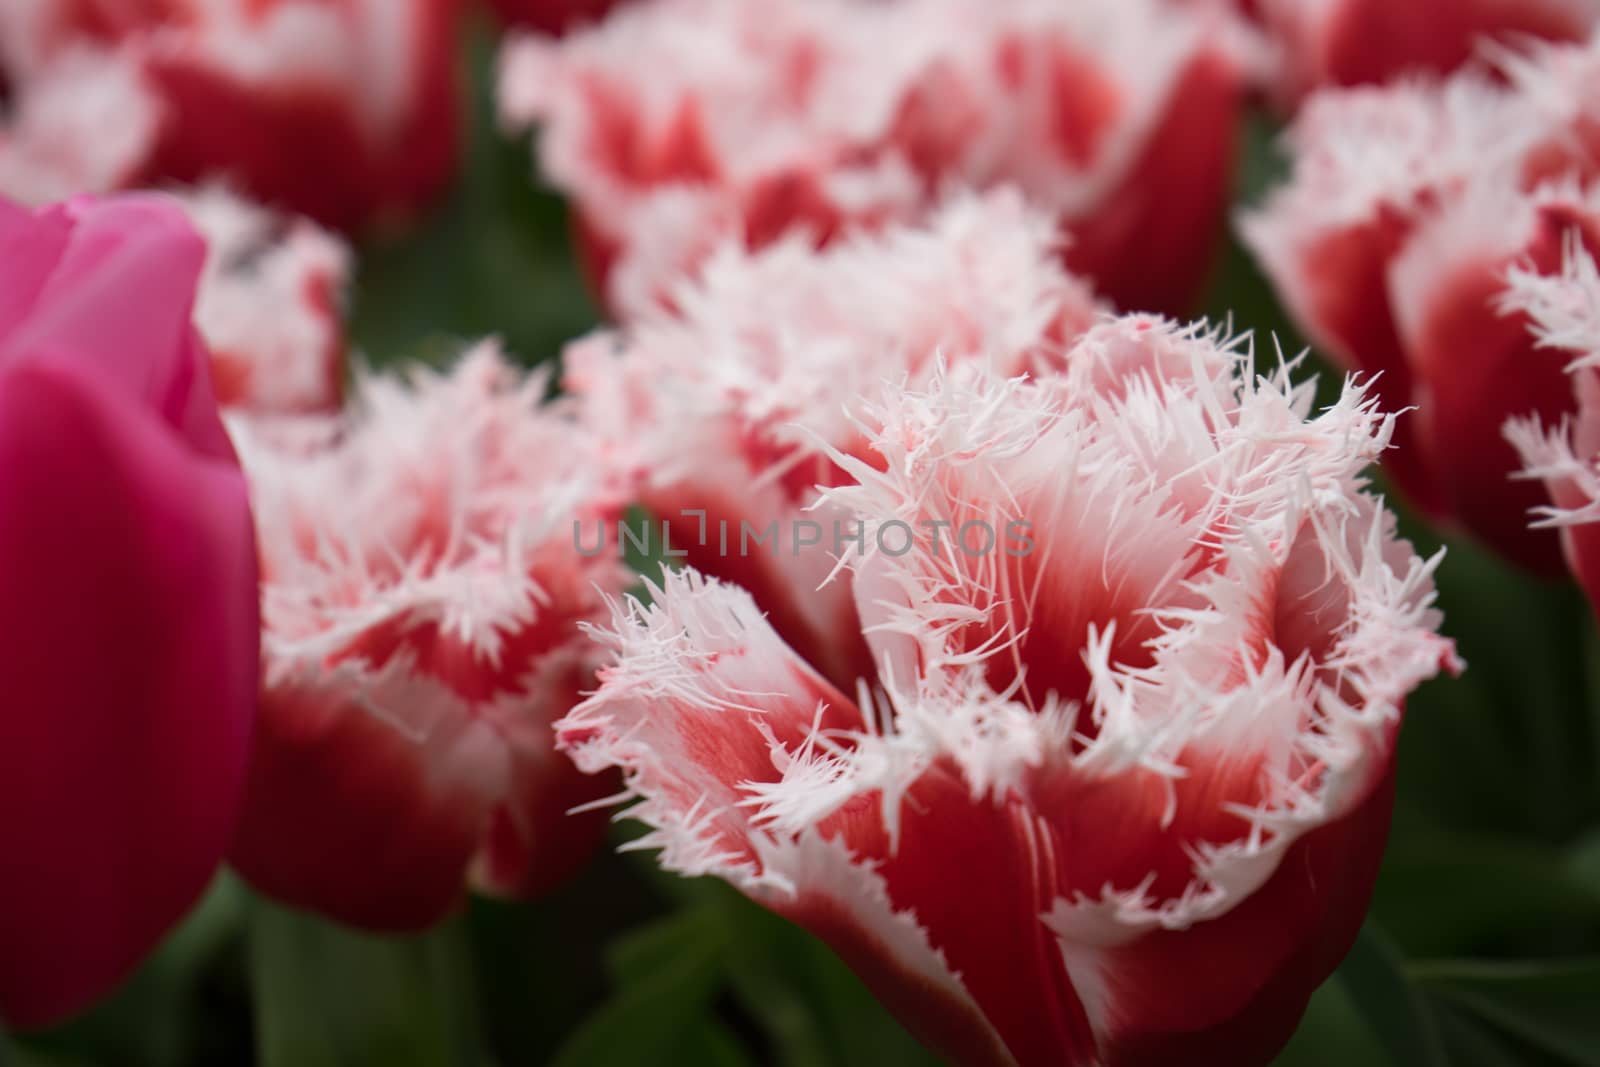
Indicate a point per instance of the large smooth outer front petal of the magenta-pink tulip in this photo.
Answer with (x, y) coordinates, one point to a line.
(130, 668)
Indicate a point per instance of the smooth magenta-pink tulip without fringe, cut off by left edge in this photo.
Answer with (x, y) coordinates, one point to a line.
(129, 569)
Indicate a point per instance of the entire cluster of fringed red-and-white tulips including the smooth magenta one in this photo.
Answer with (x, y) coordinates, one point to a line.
(1041, 650)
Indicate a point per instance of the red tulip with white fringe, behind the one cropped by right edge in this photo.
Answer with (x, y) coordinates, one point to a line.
(1391, 244)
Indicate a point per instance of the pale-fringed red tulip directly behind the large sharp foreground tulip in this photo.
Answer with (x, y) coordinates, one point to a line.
(721, 414)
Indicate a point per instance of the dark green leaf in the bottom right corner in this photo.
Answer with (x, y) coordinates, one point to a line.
(1551, 1007)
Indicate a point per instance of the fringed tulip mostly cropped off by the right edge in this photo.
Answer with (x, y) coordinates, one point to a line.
(1566, 457)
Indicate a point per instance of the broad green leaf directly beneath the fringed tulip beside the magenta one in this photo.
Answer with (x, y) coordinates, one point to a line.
(332, 997)
